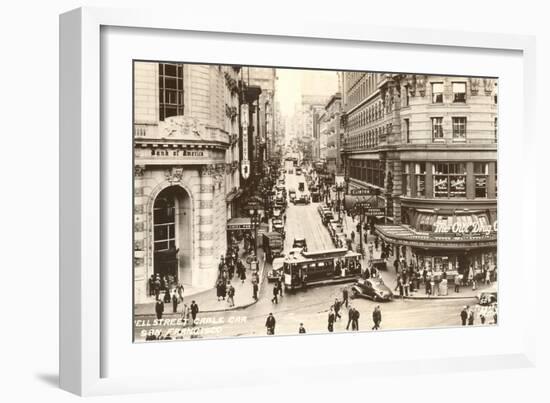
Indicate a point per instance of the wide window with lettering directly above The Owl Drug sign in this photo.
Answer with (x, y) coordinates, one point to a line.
(449, 180)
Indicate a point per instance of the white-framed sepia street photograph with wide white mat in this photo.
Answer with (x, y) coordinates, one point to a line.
(281, 198)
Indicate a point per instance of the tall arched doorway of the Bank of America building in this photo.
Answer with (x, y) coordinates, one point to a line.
(172, 235)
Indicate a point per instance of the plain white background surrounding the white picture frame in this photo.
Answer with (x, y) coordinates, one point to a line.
(29, 163)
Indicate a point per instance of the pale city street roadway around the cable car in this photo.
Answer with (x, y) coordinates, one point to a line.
(310, 307)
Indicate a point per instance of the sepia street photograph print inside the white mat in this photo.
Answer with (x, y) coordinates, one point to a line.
(273, 201)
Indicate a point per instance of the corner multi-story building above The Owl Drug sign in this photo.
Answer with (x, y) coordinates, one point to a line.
(428, 146)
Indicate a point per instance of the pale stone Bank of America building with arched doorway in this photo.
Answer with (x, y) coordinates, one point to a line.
(186, 153)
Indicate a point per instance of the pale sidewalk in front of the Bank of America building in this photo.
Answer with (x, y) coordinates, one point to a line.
(207, 300)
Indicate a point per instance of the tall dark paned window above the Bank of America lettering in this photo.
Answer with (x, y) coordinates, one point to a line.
(170, 90)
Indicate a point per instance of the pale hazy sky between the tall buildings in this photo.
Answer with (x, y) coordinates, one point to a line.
(292, 83)
